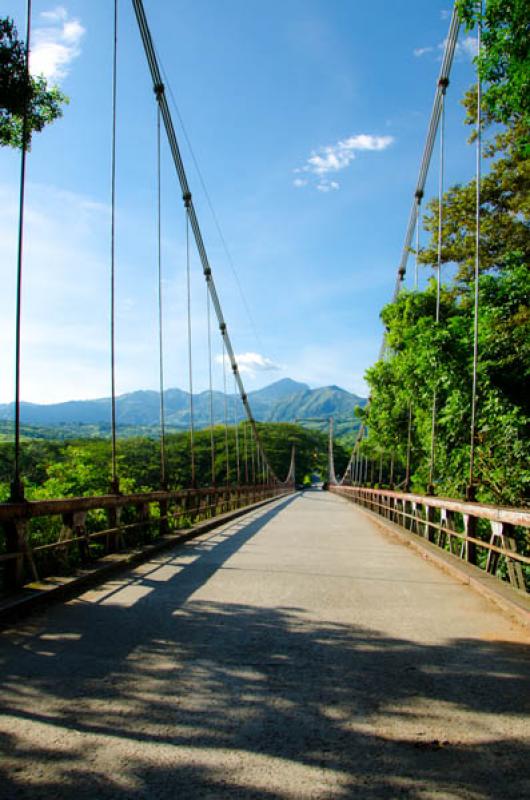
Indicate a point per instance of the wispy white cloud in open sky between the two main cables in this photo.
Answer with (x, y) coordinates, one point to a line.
(336, 157)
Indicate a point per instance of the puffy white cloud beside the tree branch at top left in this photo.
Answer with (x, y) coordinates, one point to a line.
(55, 44)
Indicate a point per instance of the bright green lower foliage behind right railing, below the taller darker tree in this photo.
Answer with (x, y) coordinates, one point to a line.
(425, 356)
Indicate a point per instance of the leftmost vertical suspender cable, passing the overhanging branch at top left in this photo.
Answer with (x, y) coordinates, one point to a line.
(17, 489)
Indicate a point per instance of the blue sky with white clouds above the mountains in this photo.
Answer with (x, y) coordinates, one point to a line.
(307, 119)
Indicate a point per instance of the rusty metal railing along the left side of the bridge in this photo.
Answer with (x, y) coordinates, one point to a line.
(40, 536)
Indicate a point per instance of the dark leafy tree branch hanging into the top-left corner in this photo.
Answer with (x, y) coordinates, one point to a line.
(22, 93)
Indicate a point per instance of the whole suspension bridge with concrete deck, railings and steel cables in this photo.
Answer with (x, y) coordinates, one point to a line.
(244, 637)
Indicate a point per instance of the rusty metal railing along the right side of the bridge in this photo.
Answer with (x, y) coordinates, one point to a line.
(494, 538)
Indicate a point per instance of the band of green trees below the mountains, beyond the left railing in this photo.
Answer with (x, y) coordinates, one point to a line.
(82, 467)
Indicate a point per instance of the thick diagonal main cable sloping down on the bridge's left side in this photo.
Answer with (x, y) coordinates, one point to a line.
(179, 166)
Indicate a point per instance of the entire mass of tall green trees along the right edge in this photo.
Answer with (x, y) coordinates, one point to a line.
(423, 357)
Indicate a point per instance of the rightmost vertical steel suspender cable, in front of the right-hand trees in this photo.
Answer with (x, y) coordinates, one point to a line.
(471, 488)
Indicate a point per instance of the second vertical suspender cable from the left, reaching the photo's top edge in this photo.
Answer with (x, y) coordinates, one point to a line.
(114, 469)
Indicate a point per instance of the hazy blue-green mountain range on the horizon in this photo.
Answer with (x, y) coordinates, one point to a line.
(283, 401)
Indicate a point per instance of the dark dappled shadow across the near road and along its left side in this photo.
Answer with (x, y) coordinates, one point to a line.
(175, 696)
